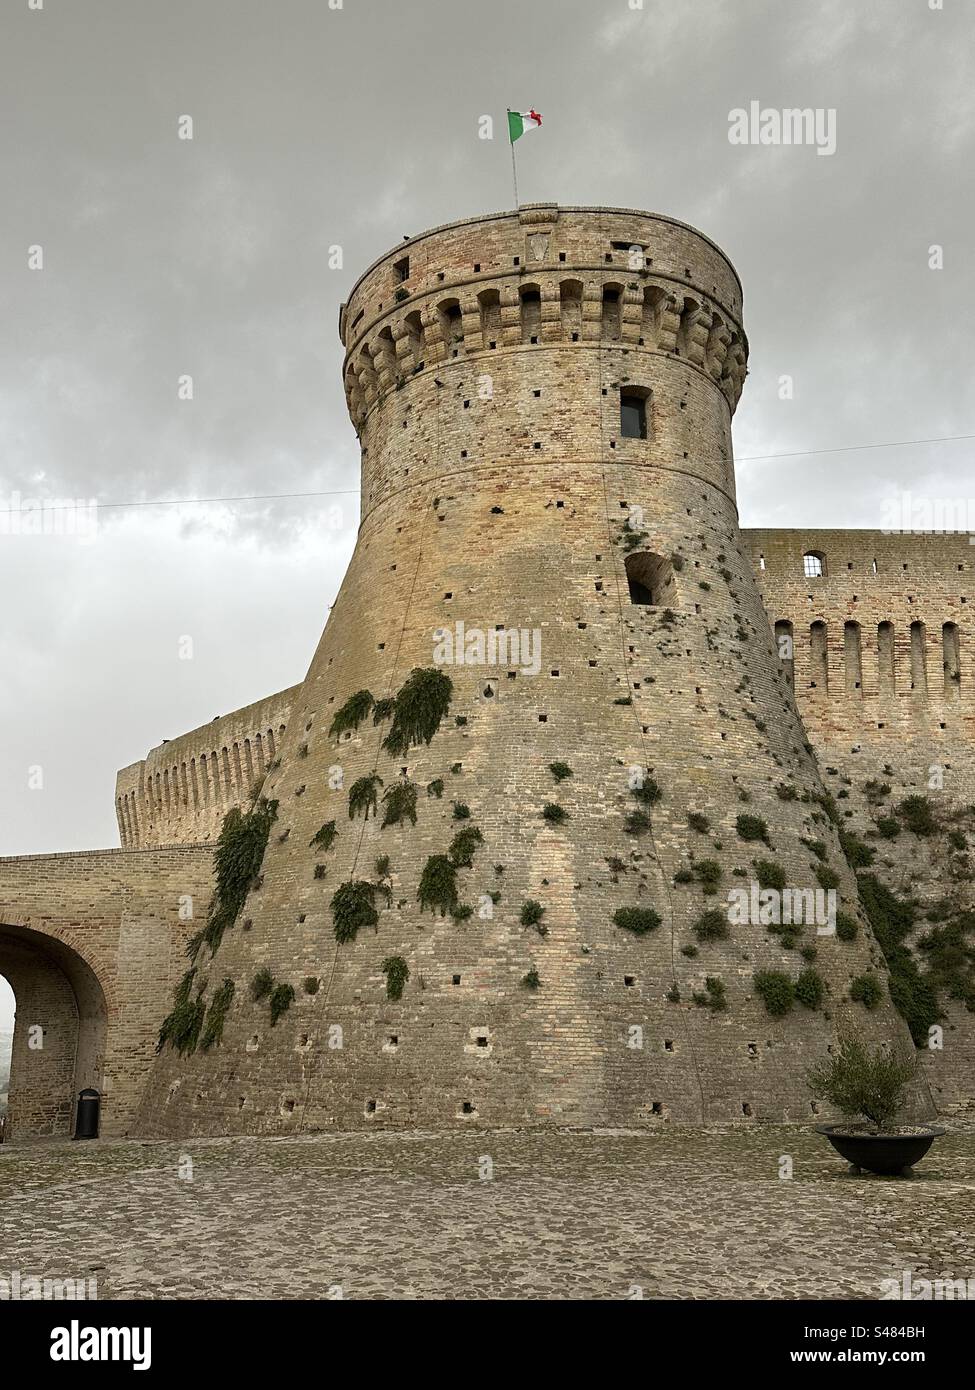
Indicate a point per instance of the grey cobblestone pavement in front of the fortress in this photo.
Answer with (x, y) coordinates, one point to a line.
(681, 1214)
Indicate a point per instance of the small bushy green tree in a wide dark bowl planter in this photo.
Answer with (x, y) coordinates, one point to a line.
(871, 1086)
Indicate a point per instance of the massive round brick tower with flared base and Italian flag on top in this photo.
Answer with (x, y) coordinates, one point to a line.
(545, 405)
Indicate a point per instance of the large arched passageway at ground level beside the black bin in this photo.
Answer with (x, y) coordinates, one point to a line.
(59, 1035)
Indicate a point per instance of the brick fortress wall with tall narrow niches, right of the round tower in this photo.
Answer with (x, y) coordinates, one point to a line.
(887, 692)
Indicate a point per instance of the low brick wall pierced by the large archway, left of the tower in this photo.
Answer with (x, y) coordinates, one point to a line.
(92, 946)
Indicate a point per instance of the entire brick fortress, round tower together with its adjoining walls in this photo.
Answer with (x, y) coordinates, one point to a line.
(508, 907)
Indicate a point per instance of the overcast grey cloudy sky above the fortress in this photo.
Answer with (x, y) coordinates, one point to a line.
(316, 127)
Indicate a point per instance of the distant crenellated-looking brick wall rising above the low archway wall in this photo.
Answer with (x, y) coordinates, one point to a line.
(182, 792)
